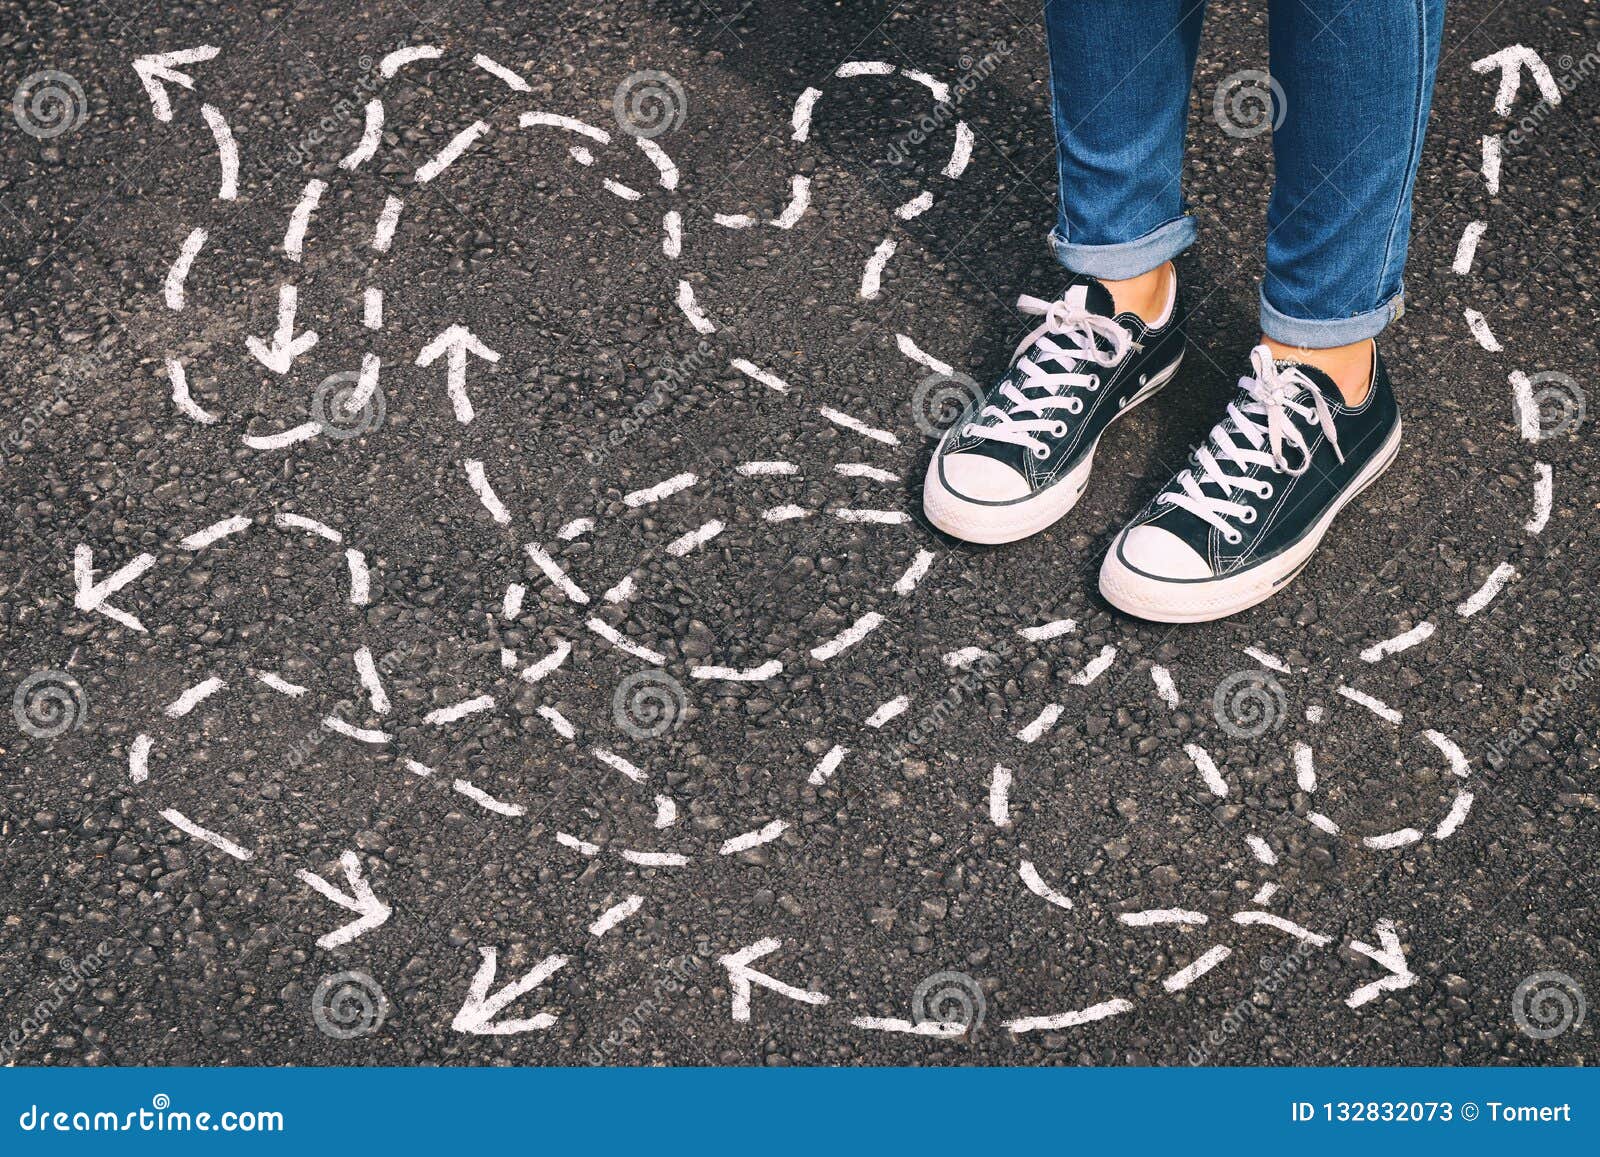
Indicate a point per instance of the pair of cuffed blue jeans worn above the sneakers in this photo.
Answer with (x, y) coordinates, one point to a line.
(1348, 103)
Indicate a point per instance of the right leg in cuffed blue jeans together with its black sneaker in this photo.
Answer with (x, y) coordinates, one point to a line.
(1316, 418)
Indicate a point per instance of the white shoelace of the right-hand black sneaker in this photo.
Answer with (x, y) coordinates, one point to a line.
(1263, 420)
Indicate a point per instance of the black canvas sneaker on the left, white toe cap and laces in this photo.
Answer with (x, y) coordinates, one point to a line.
(1022, 455)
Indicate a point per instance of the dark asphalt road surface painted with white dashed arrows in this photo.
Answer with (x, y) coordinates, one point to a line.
(454, 689)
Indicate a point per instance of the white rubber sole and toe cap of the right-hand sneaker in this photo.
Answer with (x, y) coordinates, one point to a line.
(1202, 601)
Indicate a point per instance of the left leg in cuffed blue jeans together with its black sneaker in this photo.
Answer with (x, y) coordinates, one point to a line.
(1020, 457)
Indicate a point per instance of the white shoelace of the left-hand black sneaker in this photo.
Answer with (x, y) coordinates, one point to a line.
(1023, 418)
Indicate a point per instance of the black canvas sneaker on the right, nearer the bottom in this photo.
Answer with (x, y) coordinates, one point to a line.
(1257, 498)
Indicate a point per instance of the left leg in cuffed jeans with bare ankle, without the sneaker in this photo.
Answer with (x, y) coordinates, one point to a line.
(1119, 78)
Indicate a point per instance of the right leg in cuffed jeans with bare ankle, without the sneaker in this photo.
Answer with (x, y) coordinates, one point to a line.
(1356, 84)
